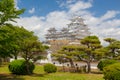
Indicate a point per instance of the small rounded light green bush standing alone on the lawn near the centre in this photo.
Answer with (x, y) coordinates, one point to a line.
(50, 68)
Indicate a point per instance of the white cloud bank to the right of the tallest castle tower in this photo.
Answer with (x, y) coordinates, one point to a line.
(105, 26)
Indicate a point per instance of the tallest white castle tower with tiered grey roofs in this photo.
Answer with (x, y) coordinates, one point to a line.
(78, 29)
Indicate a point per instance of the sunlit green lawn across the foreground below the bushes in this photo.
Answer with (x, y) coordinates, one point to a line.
(39, 74)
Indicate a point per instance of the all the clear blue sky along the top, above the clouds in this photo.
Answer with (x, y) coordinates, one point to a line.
(43, 7)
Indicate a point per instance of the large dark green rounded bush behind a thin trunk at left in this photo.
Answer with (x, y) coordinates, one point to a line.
(20, 67)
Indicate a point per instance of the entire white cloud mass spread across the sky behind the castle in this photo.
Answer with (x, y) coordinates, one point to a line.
(104, 26)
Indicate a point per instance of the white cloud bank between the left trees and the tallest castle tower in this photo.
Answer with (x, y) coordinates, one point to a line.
(40, 24)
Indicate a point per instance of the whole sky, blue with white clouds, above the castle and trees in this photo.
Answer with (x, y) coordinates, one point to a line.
(101, 16)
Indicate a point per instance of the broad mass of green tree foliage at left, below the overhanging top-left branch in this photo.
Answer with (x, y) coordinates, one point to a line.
(14, 40)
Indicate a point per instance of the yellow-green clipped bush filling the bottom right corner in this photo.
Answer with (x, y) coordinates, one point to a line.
(112, 72)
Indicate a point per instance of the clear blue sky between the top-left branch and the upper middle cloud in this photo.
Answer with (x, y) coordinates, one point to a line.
(42, 7)
